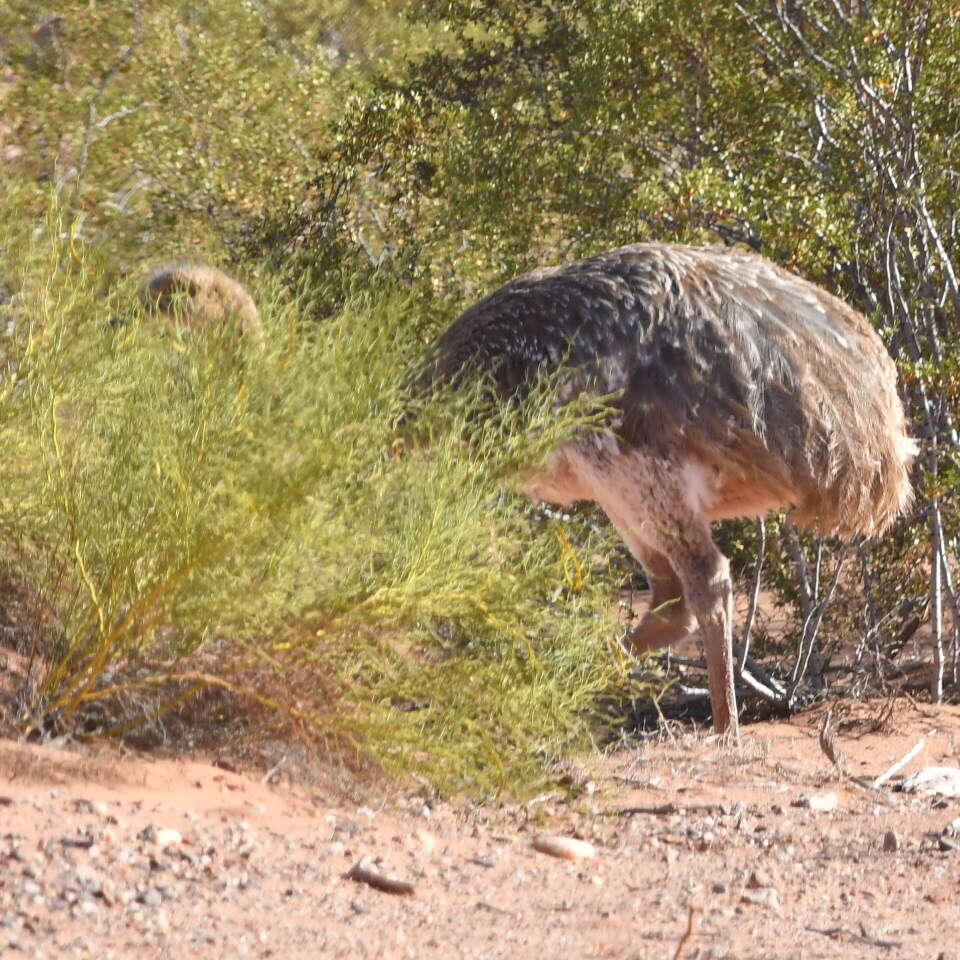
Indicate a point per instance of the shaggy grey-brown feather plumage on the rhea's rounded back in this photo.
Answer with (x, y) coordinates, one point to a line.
(716, 355)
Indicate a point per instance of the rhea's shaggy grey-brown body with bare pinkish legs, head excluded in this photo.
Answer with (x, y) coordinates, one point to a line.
(739, 388)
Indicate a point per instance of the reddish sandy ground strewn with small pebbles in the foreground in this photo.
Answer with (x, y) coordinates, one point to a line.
(108, 854)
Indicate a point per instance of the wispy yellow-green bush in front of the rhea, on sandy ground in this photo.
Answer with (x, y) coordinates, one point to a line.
(213, 515)
